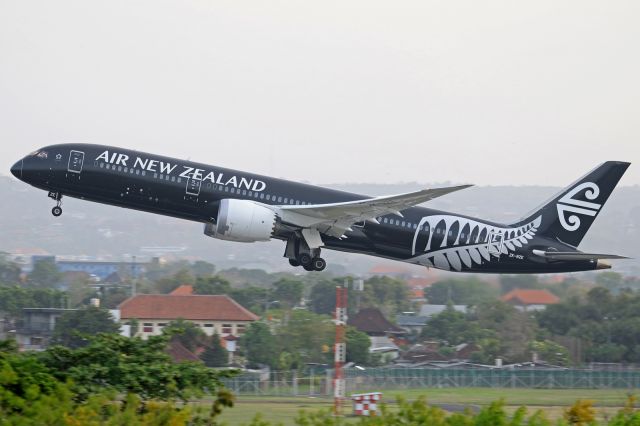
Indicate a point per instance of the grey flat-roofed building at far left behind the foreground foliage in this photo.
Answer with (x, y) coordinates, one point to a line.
(34, 331)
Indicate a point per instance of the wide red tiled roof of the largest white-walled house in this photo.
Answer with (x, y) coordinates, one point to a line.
(196, 307)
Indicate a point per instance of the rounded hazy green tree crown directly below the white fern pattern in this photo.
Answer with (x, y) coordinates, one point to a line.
(460, 291)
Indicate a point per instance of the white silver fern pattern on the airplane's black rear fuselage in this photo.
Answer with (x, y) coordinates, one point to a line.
(451, 242)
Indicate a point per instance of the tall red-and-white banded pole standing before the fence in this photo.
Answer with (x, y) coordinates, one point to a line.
(340, 349)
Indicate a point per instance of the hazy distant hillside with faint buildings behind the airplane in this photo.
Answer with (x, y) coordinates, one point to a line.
(97, 230)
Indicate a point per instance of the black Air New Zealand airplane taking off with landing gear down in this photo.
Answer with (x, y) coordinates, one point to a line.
(245, 207)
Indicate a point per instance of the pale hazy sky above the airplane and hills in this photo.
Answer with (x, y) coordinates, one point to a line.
(481, 92)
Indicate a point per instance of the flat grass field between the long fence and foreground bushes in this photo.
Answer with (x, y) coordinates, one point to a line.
(553, 401)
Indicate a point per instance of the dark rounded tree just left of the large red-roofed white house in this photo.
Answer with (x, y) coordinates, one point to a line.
(74, 327)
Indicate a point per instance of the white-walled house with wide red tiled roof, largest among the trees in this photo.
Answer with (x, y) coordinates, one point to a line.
(212, 313)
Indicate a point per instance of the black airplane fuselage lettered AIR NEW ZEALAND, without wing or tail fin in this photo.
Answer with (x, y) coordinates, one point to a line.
(193, 191)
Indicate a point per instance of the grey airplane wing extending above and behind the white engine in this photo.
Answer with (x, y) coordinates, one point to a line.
(336, 218)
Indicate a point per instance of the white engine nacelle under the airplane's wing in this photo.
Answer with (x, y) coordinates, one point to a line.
(242, 221)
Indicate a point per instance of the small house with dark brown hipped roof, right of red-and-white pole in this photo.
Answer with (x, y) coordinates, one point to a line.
(381, 332)
